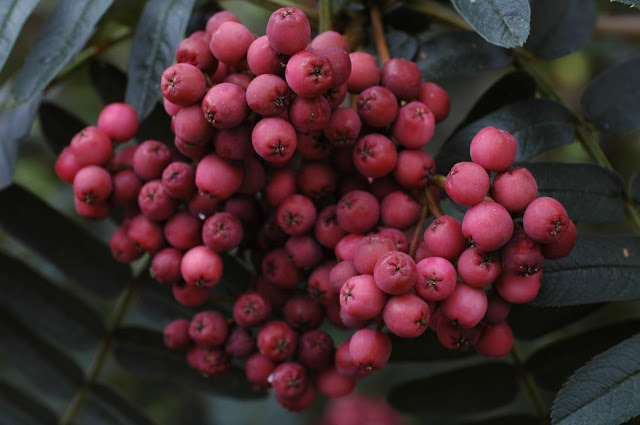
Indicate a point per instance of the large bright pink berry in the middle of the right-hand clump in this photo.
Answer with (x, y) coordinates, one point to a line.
(488, 225)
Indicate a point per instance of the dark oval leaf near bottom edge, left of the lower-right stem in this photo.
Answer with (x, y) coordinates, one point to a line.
(467, 390)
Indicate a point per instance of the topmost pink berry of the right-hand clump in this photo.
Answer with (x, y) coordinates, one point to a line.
(493, 149)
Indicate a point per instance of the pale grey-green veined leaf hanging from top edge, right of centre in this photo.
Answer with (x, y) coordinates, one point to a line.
(504, 23)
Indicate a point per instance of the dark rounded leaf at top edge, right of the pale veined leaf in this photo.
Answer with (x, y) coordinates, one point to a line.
(559, 28)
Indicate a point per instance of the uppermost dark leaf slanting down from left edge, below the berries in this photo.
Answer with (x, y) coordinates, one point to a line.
(78, 254)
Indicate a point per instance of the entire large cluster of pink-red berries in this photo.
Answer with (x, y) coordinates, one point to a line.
(327, 201)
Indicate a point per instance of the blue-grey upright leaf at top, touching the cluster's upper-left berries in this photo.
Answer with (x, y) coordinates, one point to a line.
(159, 31)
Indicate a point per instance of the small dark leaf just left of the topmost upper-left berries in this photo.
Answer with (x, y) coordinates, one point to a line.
(58, 125)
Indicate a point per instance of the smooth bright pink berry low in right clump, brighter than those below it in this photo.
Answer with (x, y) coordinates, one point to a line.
(466, 305)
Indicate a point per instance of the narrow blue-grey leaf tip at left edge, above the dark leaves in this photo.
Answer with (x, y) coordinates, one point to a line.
(15, 123)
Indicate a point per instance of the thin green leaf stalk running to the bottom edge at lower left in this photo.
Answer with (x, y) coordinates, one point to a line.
(115, 319)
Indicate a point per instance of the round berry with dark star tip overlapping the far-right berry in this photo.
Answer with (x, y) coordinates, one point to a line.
(545, 220)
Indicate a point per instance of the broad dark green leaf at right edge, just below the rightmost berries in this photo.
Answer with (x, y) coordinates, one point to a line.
(599, 268)
